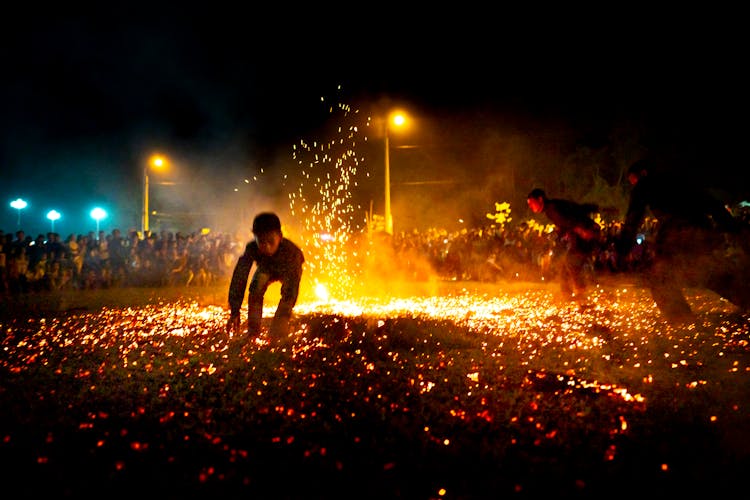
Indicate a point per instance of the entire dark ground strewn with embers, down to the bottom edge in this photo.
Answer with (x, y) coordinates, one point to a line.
(480, 391)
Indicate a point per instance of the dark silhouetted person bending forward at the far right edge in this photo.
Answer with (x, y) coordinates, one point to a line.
(690, 243)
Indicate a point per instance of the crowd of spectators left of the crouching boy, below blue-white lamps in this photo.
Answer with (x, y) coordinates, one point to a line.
(106, 260)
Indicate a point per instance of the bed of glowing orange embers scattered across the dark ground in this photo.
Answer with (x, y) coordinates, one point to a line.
(509, 359)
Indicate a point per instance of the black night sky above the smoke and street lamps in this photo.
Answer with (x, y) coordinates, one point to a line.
(86, 94)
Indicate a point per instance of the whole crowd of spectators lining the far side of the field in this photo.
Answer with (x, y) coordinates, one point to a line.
(526, 251)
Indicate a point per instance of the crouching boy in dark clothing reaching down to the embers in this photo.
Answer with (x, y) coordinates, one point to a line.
(276, 259)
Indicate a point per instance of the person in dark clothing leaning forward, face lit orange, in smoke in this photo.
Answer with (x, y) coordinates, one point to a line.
(578, 236)
